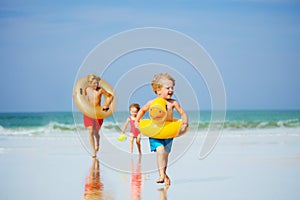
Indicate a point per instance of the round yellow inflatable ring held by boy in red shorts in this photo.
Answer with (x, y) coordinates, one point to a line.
(85, 107)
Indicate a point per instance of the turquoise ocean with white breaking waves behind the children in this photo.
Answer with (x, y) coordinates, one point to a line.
(254, 122)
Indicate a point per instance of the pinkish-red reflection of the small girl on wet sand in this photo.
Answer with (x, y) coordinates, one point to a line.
(136, 179)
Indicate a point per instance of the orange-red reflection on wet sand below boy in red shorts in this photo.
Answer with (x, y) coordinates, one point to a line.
(93, 188)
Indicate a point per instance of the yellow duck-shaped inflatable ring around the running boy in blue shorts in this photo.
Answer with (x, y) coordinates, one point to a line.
(157, 126)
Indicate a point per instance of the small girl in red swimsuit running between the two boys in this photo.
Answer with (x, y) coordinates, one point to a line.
(134, 132)
